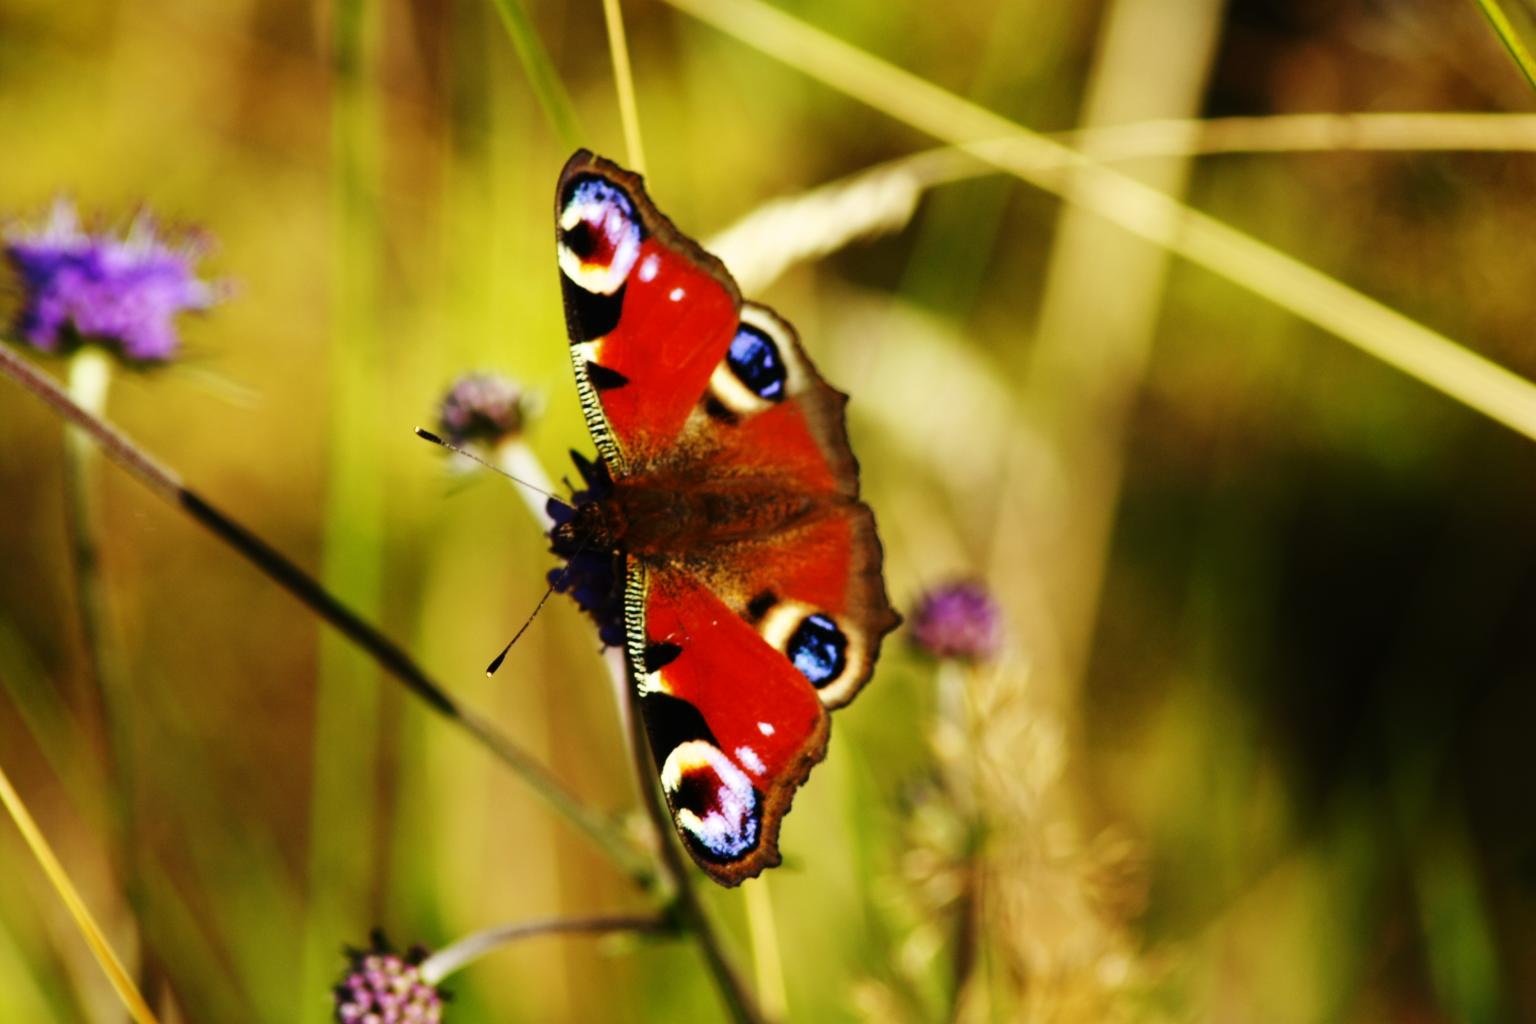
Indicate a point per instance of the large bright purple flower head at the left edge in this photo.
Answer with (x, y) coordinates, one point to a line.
(124, 294)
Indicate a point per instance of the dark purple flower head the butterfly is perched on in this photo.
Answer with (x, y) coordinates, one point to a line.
(594, 575)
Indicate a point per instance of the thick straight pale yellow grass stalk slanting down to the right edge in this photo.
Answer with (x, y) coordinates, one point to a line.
(1368, 325)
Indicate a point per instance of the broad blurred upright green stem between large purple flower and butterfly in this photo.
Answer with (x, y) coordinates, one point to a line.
(346, 796)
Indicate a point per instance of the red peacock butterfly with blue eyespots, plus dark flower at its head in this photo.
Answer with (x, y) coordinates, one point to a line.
(720, 537)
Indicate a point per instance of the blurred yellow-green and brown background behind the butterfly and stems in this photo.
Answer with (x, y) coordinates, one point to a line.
(1259, 747)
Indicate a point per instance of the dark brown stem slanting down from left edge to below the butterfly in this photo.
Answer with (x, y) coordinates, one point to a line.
(396, 661)
